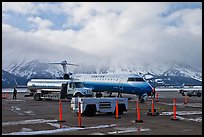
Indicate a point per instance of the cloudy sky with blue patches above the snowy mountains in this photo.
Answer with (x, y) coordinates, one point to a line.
(102, 33)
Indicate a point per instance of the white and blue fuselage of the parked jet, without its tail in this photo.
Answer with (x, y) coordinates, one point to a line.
(121, 83)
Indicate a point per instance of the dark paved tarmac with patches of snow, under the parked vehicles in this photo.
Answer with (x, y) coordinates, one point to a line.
(24, 116)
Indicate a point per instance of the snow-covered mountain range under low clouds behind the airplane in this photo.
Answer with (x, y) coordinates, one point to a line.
(168, 74)
